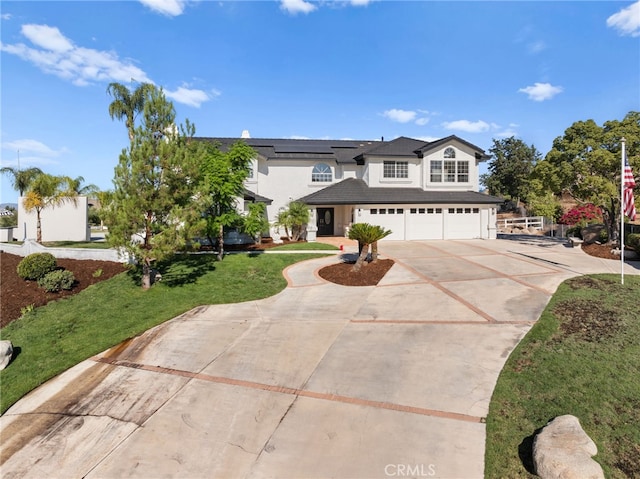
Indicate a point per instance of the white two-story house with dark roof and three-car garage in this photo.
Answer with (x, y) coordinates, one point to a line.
(417, 189)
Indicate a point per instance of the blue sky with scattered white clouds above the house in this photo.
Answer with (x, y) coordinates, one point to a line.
(295, 69)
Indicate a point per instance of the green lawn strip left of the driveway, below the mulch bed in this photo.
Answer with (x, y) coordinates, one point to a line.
(55, 337)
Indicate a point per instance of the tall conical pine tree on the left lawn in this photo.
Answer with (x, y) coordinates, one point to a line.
(151, 214)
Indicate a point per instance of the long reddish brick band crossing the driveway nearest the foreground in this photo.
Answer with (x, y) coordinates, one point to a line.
(294, 391)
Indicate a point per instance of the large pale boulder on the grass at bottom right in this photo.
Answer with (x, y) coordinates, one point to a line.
(562, 450)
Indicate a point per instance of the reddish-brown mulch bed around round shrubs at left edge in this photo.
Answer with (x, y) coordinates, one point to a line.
(16, 293)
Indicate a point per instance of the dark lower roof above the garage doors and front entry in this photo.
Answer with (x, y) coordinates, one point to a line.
(354, 191)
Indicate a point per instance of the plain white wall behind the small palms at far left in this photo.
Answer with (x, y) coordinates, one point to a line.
(68, 221)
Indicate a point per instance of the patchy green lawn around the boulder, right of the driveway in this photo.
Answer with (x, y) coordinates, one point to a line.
(581, 358)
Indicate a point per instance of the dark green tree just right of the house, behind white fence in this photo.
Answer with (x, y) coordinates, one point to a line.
(509, 170)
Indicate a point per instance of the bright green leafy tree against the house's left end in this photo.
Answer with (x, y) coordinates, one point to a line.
(222, 183)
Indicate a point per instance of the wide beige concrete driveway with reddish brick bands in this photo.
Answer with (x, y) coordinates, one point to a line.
(318, 381)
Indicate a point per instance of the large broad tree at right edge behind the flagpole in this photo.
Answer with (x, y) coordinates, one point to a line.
(586, 162)
